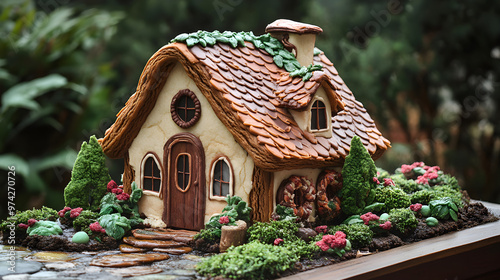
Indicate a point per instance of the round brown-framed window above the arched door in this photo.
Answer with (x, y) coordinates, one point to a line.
(185, 108)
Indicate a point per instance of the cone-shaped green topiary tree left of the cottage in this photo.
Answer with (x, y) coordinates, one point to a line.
(89, 177)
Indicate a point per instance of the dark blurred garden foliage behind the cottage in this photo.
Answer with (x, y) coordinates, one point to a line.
(427, 71)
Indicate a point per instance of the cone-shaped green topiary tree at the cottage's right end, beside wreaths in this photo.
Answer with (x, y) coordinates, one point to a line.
(358, 189)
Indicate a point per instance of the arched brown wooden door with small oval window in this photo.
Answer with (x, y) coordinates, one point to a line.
(184, 190)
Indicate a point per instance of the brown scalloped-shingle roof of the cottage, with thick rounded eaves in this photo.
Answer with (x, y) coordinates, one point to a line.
(252, 96)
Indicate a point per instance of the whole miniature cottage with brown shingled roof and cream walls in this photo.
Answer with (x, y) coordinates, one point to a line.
(212, 118)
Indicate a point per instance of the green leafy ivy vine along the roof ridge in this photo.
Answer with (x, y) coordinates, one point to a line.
(281, 57)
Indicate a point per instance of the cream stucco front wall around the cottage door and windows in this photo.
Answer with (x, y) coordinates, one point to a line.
(216, 139)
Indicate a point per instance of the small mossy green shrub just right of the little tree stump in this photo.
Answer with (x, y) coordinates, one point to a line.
(268, 232)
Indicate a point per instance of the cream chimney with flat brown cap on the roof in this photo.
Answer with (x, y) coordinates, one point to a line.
(297, 37)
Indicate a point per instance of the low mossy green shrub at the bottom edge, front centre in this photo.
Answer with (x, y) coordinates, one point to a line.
(253, 260)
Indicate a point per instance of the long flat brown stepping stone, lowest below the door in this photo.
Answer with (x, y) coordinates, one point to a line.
(124, 260)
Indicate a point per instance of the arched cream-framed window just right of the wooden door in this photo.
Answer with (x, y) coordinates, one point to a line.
(222, 179)
